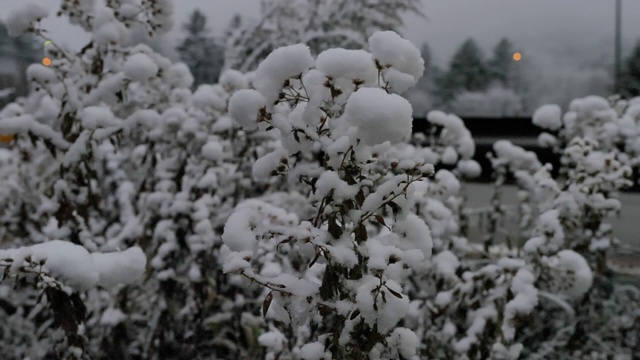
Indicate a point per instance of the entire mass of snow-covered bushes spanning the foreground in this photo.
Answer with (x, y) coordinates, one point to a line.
(280, 213)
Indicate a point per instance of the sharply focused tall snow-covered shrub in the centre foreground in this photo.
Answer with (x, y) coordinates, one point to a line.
(337, 279)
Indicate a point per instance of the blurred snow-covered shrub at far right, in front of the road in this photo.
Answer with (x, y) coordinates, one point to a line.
(566, 222)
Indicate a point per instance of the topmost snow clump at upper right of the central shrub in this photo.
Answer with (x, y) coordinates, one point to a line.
(407, 65)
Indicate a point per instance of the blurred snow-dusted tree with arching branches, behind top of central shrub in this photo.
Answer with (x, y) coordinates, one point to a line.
(320, 24)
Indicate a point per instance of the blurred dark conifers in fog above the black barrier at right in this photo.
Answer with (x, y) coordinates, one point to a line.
(474, 83)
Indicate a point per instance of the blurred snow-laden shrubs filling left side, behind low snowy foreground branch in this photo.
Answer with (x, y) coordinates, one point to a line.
(112, 150)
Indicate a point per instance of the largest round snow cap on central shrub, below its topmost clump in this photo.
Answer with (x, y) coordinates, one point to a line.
(379, 116)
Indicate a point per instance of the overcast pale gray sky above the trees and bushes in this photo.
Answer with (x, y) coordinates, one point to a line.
(562, 30)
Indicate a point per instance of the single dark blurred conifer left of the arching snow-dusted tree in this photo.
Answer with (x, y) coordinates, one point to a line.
(203, 53)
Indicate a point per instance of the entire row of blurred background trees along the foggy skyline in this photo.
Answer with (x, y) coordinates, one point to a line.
(472, 82)
